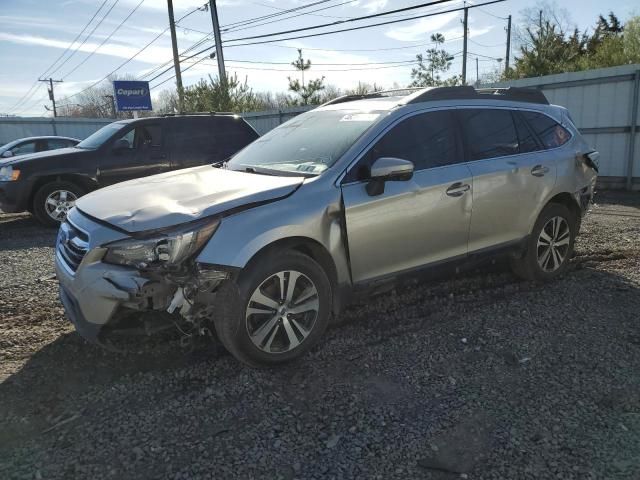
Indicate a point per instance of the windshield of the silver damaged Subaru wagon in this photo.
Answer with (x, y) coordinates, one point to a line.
(309, 143)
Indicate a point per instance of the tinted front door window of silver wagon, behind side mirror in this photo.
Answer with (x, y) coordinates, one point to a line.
(428, 140)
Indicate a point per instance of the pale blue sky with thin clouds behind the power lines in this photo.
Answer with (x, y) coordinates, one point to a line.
(34, 33)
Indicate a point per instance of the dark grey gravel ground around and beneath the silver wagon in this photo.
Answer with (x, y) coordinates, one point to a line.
(475, 376)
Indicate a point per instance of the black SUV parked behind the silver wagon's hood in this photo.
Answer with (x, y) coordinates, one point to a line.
(48, 183)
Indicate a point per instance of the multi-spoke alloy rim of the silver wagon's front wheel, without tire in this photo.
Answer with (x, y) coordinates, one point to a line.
(282, 312)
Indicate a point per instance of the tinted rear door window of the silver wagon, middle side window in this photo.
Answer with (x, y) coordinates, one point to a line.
(489, 133)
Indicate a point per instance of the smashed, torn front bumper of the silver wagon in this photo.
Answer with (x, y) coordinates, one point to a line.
(97, 295)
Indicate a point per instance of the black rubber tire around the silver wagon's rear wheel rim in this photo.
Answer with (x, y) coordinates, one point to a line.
(528, 266)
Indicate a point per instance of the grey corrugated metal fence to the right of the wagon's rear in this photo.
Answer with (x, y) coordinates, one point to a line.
(604, 106)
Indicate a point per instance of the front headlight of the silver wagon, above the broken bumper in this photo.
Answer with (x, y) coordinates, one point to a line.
(169, 247)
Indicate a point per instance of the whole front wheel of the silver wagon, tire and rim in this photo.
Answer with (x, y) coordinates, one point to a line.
(282, 310)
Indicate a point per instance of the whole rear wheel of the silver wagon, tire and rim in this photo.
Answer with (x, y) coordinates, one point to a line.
(550, 245)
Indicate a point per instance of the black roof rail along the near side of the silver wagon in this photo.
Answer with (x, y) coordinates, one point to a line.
(516, 94)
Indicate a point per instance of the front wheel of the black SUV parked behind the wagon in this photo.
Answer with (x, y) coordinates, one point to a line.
(53, 200)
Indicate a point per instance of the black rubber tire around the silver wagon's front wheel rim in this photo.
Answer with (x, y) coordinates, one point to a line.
(231, 322)
